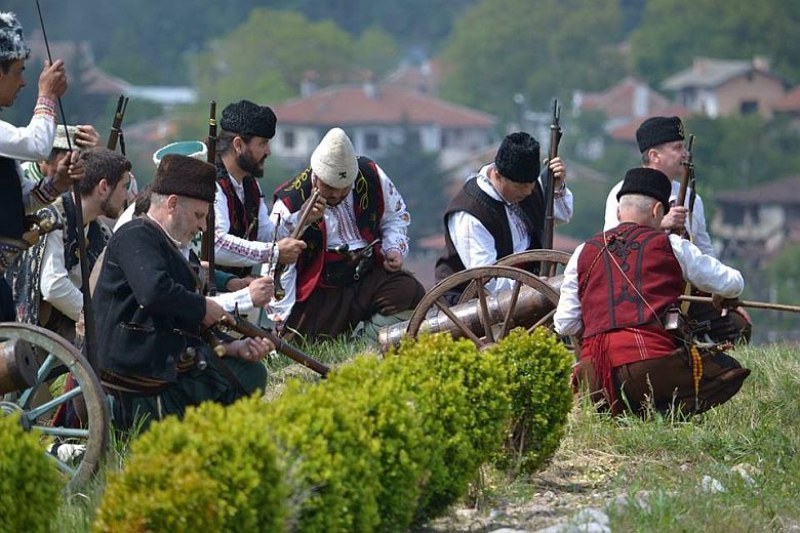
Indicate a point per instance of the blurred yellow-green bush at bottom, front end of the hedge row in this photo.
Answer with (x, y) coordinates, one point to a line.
(216, 470)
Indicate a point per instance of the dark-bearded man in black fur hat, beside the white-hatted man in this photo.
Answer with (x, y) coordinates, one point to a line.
(244, 234)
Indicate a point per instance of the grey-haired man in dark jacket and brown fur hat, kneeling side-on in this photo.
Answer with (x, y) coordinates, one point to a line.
(151, 313)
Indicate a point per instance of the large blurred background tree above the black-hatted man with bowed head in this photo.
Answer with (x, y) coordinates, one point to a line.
(501, 47)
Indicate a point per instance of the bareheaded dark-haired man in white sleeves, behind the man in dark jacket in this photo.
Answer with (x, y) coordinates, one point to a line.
(58, 300)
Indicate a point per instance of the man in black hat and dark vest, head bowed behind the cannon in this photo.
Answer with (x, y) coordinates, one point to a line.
(500, 210)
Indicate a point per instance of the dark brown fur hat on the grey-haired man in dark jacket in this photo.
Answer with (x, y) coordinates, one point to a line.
(185, 176)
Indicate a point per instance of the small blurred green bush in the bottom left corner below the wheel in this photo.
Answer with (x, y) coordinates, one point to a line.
(30, 485)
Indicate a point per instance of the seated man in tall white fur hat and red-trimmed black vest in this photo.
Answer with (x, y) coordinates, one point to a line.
(351, 270)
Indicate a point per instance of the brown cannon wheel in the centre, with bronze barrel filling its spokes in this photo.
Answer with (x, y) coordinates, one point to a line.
(485, 318)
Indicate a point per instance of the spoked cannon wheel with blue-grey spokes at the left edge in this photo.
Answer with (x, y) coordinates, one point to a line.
(42, 405)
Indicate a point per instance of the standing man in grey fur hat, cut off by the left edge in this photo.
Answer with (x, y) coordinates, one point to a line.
(17, 195)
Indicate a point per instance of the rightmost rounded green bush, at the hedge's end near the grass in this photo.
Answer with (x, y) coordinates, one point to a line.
(541, 398)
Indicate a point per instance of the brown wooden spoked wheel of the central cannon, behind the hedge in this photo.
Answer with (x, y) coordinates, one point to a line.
(494, 324)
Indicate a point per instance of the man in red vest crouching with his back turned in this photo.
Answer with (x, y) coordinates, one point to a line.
(620, 291)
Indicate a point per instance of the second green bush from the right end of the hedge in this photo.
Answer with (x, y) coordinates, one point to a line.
(463, 403)
